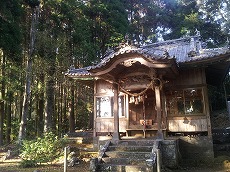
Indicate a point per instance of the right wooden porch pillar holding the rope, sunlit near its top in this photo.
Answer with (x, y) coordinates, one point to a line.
(158, 107)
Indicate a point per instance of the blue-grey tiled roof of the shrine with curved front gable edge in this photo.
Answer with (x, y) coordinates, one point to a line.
(183, 50)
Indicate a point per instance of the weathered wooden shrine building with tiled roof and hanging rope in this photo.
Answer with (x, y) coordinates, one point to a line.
(157, 90)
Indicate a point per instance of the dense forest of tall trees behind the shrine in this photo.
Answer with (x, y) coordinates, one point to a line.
(41, 40)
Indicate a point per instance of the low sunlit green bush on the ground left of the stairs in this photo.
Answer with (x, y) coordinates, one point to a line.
(41, 150)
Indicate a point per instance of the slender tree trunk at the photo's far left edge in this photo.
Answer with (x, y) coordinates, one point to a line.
(2, 97)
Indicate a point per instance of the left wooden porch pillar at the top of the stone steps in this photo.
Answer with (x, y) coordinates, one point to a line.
(116, 135)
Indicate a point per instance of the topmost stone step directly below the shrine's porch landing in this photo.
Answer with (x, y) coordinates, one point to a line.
(130, 148)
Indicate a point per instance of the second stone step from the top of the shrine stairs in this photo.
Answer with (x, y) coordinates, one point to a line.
(131, 155)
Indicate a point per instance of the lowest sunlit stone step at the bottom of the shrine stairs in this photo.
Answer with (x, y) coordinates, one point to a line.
(123, 168)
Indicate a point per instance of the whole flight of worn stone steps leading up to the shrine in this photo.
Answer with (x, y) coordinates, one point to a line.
(127, 156)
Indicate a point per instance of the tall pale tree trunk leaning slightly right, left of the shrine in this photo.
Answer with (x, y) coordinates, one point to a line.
(27, 94)
